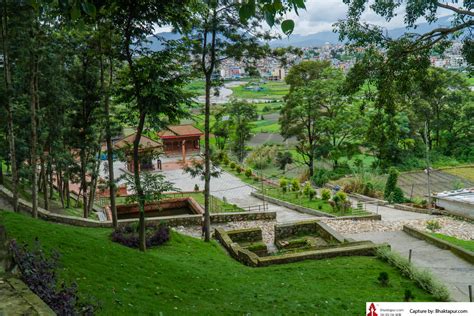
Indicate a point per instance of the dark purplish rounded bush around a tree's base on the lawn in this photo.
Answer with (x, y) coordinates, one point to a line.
(127, 235)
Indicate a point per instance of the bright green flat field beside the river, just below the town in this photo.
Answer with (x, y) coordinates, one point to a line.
(269, 90)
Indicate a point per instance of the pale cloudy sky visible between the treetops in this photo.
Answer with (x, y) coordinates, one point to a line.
(320, 15)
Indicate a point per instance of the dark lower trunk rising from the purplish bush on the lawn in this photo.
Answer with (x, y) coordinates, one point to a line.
(138, 186)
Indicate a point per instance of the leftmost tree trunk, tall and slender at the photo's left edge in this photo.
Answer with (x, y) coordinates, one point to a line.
(8, 87)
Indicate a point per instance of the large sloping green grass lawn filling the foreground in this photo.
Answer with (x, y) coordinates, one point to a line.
(188, 276)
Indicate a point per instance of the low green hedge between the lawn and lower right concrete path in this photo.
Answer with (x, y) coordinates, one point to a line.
(424, 279)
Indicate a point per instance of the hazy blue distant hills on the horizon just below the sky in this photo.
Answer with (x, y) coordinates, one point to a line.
(316, 39)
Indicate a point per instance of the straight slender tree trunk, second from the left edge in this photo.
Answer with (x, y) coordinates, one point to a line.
(34, 135)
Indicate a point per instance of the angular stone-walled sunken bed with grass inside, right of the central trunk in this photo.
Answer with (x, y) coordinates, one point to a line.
(295, 242)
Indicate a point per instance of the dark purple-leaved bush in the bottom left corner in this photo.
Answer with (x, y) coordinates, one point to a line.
(38, 271)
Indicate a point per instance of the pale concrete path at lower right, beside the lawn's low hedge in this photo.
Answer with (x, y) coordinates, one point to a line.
(454, 272)
